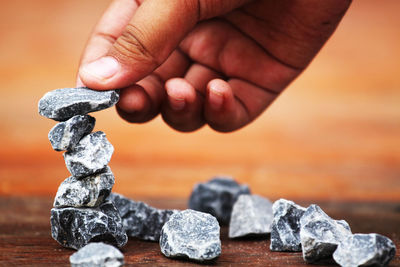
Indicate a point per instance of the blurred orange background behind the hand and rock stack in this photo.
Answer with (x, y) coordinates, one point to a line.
(334, 134)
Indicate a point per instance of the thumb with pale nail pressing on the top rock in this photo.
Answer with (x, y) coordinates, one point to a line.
(156, 29)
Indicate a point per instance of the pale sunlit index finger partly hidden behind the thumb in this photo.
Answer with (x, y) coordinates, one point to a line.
(107, 30)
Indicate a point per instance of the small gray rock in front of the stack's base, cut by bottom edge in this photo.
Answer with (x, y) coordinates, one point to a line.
(97, 255)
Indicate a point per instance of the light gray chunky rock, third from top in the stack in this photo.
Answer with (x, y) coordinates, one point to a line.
(91, 155)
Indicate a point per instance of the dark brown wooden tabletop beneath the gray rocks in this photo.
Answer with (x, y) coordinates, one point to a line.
(25, 235)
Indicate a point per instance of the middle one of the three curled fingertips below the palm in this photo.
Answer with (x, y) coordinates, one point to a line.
(183, 110)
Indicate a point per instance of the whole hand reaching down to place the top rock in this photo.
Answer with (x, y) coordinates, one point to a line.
(198, 62)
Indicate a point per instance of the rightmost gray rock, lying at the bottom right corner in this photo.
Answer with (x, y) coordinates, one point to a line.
(365, 250)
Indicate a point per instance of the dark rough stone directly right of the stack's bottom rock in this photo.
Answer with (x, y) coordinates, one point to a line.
(139, 219)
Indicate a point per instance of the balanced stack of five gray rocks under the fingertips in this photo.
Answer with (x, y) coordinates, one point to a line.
(81, 213)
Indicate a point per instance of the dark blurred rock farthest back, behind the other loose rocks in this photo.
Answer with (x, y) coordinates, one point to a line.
(217, 197)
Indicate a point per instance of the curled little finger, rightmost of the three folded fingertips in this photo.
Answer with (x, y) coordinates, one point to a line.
(233, 104)
